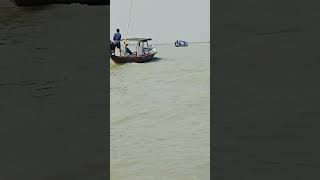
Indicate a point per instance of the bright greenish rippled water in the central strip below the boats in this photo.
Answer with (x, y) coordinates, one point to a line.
(160, 116)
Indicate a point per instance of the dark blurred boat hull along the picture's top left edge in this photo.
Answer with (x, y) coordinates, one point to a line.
(45, 2)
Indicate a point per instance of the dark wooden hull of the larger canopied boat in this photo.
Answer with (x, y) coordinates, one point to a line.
(133, 59)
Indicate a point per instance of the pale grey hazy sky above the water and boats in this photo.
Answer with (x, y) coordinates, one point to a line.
(162, 20)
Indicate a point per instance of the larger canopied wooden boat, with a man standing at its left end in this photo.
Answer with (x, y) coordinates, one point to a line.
(144, 52)
